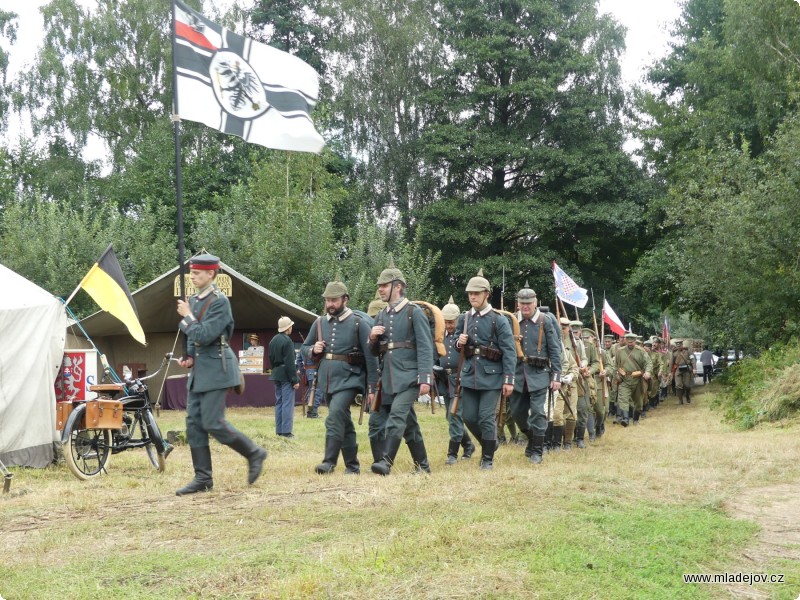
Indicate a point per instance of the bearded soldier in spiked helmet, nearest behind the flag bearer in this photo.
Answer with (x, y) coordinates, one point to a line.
(339, 343)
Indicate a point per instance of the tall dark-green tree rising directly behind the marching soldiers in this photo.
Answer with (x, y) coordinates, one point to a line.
(529, 144)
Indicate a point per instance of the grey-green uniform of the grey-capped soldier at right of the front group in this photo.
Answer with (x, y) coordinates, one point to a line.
(541, 364)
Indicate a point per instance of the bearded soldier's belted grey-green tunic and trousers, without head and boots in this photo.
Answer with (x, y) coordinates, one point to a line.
(340, 374)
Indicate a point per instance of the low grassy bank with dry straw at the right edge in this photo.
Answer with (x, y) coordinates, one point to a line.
(763, 389)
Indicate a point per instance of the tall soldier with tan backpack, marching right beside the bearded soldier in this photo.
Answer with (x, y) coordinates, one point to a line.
(402, 338)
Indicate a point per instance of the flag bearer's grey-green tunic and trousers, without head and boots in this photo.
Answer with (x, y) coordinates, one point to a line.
(215, 369)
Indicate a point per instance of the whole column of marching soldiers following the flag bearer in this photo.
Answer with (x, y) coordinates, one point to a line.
(547, 376)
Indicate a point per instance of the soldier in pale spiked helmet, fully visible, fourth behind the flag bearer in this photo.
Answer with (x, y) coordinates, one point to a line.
(490, 361)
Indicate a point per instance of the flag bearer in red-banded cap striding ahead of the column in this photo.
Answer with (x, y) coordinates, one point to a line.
(207, 322)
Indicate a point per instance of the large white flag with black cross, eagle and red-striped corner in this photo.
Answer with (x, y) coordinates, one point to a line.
(238, 86)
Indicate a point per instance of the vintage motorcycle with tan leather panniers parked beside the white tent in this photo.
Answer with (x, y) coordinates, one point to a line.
(130, 424)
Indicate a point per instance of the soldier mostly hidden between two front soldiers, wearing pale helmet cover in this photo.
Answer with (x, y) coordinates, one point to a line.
(459, 437)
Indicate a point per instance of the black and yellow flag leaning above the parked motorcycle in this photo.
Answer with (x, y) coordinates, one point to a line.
(106, 284)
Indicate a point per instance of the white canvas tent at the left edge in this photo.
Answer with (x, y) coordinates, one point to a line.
(33, 325)
